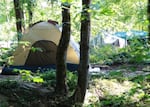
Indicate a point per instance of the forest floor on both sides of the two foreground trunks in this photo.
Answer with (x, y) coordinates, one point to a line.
(125, 85)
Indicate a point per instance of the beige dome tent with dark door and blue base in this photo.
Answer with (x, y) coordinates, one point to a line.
(38, 46)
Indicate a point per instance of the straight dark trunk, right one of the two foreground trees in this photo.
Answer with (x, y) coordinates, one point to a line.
(80, 91)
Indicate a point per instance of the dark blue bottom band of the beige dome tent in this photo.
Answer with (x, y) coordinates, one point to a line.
(10, 70)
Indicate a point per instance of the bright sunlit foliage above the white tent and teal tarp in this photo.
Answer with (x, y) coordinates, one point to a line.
(116, 15)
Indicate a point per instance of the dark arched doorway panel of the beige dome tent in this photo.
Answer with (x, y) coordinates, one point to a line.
(46, 54)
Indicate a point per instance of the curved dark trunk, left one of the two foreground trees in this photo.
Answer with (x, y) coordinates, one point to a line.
(61, 86)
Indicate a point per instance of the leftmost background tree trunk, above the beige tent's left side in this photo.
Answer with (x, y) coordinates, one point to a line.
(19, 17)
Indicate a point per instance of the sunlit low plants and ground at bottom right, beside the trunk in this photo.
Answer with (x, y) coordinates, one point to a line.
(131, 92)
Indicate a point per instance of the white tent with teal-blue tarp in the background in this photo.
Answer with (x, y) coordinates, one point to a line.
(119, 39)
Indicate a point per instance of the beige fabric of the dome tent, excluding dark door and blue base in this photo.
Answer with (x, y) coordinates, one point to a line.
(39, 32)
